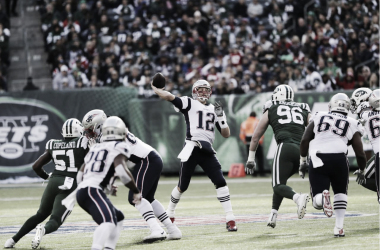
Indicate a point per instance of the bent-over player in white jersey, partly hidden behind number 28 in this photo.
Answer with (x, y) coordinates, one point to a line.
(147, 173)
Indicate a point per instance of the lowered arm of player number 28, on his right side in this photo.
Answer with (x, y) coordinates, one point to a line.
(126, 177)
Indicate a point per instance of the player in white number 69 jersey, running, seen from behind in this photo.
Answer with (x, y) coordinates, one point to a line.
(326, 139)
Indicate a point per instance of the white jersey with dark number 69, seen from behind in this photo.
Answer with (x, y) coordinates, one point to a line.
(333, 131)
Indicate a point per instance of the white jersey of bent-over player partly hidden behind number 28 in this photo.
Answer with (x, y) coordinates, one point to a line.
(138, 149)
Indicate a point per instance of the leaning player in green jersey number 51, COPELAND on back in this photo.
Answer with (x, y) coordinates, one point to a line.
(68, 156)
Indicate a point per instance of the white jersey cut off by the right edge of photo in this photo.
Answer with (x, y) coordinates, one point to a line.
(372, 127)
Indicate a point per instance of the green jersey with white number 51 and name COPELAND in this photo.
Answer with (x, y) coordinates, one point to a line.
(68, 155)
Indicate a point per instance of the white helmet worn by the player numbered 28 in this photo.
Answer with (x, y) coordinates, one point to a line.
(114, 129)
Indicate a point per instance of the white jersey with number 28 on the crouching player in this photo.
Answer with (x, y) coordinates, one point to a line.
(99, 163)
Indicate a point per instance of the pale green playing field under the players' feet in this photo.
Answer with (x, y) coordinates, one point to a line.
(201, 218)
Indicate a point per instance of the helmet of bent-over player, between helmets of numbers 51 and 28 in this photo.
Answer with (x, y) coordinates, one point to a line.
(92, 123)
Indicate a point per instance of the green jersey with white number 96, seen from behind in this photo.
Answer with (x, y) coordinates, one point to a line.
(288, 120)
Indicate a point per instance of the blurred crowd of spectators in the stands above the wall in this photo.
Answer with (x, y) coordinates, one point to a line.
(238, 46)
